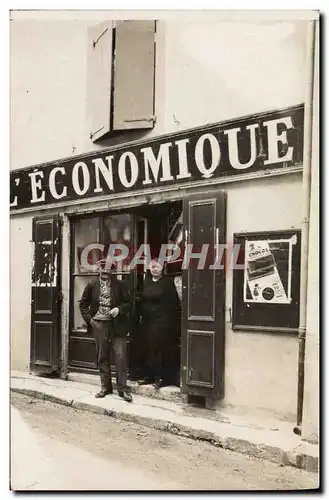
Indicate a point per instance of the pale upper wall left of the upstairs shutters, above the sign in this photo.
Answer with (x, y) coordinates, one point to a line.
(48, 74)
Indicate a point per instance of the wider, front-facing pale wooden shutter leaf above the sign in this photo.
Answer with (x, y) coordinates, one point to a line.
(134, 70)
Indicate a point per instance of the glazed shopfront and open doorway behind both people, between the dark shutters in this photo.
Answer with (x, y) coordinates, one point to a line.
(149, 225)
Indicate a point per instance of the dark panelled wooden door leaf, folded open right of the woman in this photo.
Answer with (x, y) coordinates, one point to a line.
(203, 297)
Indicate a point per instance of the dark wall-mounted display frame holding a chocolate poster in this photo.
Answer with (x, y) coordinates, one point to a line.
(266, 281)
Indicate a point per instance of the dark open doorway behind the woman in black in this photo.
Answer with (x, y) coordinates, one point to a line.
(156, 225)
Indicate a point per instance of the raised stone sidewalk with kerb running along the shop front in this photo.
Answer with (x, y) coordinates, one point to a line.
(260, 437)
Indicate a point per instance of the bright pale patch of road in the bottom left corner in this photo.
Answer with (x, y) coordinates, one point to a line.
(40, 462)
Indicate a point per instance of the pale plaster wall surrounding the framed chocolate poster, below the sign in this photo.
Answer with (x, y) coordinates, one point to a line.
(261, 368)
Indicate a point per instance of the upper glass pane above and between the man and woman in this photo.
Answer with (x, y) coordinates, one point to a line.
(118, 231)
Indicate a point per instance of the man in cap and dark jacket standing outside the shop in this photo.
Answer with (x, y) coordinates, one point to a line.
(105, 306)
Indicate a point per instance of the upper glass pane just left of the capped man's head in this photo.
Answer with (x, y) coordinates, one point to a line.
(87, 232)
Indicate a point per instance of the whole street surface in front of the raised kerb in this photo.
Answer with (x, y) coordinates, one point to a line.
(59, 448)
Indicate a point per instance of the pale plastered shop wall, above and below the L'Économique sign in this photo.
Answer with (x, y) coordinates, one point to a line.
(206, 72)
